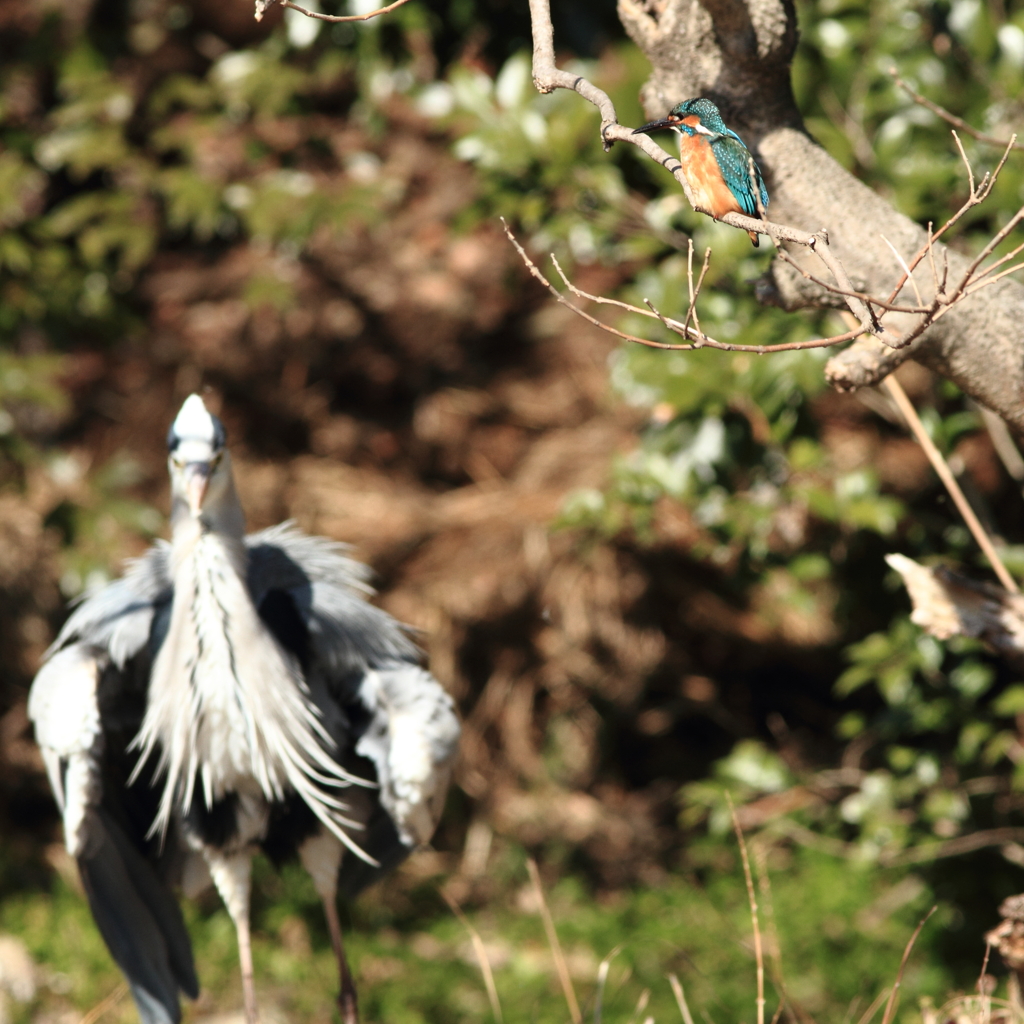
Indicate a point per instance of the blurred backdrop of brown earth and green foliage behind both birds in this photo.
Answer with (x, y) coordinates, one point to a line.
(648, 578)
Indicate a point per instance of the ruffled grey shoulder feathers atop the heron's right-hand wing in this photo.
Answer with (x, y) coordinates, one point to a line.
(329, 590)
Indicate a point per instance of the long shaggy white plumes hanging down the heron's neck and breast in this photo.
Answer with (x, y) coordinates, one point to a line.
(228, 705)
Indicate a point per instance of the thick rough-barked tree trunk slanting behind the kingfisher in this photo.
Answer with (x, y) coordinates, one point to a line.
(738, 54)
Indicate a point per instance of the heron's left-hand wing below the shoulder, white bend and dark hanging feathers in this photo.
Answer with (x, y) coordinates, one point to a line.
(136, 912)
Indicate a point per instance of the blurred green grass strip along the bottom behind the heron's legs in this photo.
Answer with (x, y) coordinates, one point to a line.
(841, 932)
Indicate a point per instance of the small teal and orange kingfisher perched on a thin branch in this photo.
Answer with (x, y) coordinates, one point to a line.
(716, 162)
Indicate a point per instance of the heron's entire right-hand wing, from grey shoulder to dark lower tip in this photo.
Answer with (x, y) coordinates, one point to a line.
(391, 718)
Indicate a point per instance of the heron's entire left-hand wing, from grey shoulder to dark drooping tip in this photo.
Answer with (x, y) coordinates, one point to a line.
(87, 704)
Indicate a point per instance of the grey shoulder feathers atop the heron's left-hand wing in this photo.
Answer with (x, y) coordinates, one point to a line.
(118, 619)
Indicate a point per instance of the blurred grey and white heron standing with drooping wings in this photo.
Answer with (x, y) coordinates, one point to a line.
(231, 695)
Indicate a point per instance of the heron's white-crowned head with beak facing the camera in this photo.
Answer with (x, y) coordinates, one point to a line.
(198, 459)
